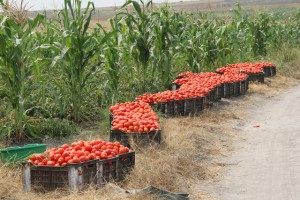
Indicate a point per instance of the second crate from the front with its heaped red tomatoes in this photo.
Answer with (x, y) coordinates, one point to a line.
(134, 123)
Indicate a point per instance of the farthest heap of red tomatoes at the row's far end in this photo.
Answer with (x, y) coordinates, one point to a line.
(252, 68)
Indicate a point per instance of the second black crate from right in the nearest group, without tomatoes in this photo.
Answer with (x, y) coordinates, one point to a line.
(107, 170)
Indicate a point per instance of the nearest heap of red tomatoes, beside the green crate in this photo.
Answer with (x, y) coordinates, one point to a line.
(78, 152)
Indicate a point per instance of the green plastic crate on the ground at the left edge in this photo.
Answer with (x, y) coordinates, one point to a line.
(14, 154)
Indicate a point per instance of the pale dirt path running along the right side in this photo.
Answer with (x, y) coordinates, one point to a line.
(266, 166)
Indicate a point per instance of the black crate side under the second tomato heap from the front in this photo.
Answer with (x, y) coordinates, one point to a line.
(136, 138)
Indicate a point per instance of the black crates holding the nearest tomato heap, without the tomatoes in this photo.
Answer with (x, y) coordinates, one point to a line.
(78, 176)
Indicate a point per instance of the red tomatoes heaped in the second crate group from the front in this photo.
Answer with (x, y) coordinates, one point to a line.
(134, 117)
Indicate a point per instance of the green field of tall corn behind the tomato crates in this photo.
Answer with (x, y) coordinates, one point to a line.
(61, 68)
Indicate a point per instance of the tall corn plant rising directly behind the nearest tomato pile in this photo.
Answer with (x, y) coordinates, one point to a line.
(77, 51)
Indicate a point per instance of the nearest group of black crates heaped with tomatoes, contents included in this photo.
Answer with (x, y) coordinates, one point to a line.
(74, 167)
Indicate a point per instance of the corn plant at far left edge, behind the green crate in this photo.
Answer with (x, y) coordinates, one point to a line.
(18, 58)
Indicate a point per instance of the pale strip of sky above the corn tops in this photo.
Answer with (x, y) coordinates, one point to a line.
(57, 4)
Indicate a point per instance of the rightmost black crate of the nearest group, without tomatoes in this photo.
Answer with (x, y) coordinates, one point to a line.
(125, 163)
